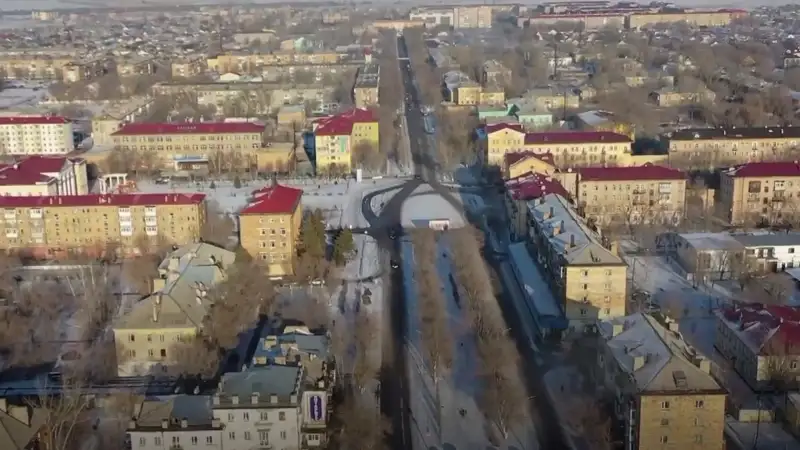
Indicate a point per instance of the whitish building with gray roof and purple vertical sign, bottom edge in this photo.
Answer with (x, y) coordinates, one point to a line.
(270, 407)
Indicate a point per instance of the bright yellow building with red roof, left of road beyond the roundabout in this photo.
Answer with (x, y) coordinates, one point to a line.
(336, 136)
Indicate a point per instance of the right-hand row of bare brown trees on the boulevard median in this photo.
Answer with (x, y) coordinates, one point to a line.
(504, 398)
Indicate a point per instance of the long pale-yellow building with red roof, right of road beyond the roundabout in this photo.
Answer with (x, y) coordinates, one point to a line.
(569, 149)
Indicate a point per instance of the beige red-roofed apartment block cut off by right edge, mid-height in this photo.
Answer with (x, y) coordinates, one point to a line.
(759, 192)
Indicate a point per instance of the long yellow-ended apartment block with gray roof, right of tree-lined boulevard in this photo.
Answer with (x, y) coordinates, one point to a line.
(588, 279)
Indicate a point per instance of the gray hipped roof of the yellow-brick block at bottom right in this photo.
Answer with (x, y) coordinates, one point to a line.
(656, 358)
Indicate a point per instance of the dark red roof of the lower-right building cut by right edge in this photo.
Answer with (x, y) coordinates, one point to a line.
(770, 328)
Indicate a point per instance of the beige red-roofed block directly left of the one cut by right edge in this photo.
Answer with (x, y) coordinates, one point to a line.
(632, 195)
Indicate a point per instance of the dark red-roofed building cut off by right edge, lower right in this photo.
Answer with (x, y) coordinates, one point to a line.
(760, 342)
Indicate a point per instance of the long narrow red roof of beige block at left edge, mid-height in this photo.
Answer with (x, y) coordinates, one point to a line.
(101, 200)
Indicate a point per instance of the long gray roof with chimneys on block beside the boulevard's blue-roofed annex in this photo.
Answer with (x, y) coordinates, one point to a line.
(567, 234)
